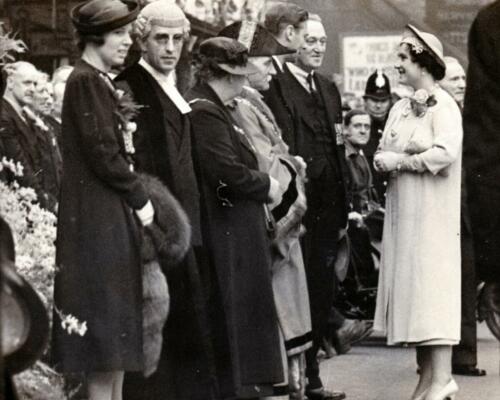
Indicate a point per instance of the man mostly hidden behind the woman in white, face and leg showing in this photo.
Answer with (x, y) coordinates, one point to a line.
(464, 360)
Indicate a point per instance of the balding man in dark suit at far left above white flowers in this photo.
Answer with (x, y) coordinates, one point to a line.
(20, 141)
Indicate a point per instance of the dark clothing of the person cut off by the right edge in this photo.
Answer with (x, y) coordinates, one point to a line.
(482, 140)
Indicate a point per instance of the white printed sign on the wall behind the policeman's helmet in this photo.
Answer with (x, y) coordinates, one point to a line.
(362, 55)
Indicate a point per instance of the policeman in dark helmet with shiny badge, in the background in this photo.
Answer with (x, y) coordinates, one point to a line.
(378, 102)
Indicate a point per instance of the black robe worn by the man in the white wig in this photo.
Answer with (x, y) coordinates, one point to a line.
(163, 149)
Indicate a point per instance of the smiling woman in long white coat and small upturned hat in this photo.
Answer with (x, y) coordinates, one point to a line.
(418, 300)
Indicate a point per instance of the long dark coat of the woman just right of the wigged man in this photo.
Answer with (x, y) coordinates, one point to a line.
(234, 192)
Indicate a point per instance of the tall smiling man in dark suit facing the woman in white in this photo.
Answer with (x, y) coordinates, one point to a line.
(315, 105)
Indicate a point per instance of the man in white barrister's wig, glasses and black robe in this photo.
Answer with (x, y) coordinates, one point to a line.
(163, 149)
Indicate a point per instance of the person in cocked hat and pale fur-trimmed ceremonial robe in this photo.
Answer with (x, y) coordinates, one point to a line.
(257, 120)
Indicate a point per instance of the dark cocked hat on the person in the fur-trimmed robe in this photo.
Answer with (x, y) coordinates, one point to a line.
(259, 41)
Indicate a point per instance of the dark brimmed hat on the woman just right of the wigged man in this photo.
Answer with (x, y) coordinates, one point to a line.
(229, 55)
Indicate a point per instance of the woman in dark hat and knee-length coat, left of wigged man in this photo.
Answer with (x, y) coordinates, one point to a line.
(102, 205)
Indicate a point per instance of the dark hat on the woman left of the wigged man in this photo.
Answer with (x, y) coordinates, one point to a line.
(101, 16)
